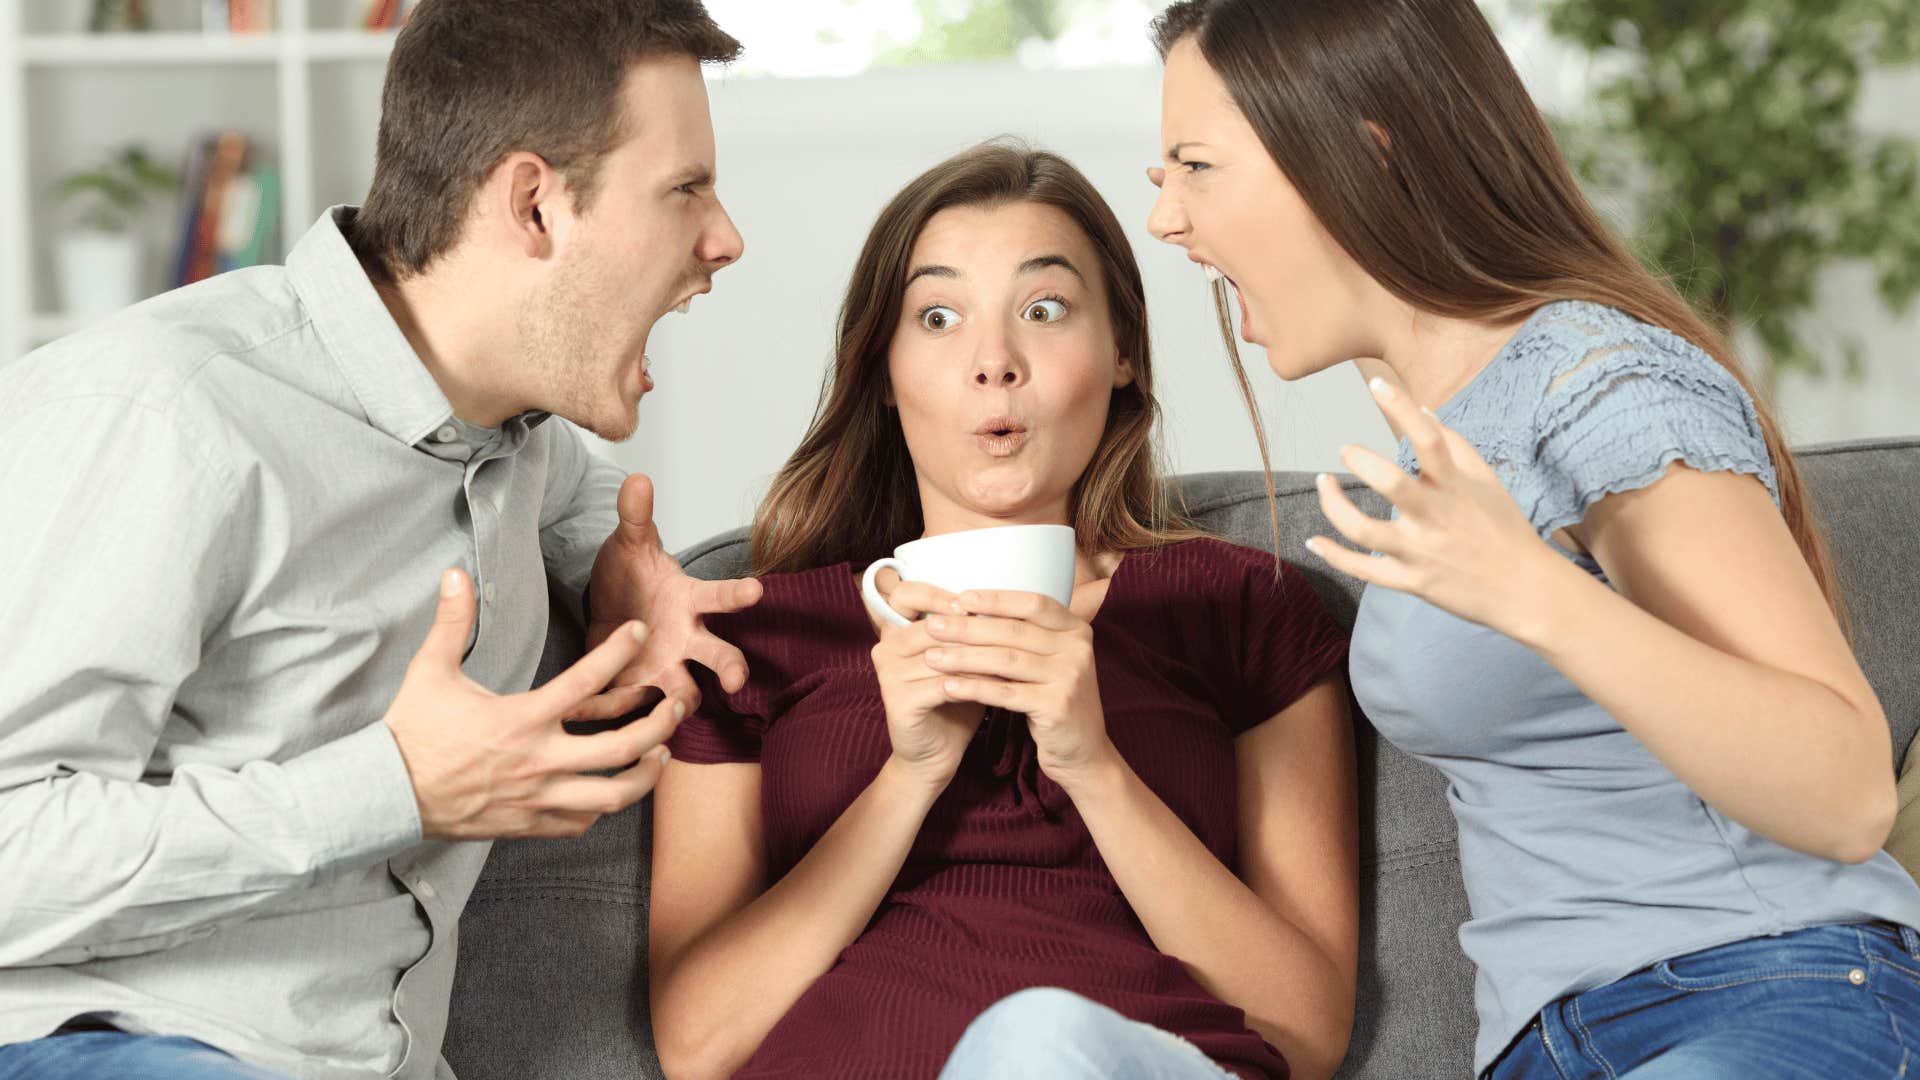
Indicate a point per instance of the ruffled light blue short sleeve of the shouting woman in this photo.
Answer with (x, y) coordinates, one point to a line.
(1623, 414)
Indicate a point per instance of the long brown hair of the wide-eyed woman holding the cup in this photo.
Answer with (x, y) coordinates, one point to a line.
(850, 491)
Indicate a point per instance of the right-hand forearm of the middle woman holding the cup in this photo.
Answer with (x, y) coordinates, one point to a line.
(1201, 914)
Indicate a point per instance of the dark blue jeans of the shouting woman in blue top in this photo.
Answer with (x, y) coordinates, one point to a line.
(1810, 1006)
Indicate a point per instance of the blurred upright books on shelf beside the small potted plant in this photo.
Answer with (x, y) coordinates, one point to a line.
(229, 209)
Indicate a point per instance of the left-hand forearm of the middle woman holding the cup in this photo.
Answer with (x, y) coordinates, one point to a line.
(734, 983)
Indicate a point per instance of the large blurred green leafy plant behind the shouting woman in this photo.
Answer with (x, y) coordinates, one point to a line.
(1731, 130)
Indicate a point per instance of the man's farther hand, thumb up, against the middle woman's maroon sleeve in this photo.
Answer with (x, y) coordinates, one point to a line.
(636, 579)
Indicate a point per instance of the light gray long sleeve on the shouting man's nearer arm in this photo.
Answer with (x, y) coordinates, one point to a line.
(122, 558)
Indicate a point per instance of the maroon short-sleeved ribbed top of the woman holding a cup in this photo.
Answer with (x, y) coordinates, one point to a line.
(1005, 889)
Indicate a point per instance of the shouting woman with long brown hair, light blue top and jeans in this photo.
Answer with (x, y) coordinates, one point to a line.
(1602, 604)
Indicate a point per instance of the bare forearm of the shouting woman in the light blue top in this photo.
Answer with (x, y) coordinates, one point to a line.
(1779, 752)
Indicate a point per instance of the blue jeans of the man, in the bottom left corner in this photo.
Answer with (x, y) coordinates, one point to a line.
(116, 1056)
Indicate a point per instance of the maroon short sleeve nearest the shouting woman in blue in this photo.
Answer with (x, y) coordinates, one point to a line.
(1287, 641)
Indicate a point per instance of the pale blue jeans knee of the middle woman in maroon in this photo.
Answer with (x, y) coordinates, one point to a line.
(1055, 1035)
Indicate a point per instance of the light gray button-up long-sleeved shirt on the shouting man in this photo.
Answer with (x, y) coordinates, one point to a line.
(224, 520)
